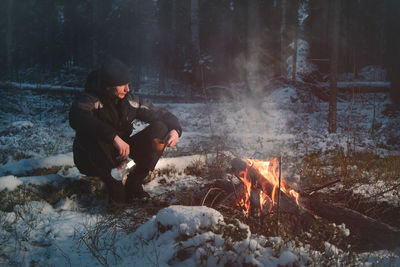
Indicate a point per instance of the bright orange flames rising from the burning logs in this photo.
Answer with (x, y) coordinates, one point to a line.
(269, 171)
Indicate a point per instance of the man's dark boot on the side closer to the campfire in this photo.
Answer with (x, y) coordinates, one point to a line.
(133, 187)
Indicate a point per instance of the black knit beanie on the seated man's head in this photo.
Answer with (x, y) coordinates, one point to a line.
(113, 72)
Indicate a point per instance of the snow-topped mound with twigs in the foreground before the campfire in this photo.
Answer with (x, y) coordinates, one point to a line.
(198, 236)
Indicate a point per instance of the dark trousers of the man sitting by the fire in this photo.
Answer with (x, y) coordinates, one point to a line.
(96, 158)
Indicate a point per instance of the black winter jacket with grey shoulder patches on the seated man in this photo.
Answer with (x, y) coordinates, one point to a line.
(98, 117)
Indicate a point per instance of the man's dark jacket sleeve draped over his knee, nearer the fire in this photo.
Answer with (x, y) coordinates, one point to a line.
(148, 112)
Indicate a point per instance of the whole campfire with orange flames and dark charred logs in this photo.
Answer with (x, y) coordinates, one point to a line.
(264, 192)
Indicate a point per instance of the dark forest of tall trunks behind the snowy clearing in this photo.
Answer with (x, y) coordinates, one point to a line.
(193, 40)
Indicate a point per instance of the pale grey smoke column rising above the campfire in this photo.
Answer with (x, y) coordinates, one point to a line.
(253, 123)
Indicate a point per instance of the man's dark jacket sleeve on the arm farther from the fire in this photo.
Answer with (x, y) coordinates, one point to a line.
(83, 120)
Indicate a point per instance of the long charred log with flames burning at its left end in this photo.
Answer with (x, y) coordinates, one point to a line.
(367, 232)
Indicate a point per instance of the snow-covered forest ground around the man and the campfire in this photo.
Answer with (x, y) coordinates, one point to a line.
(286, 121)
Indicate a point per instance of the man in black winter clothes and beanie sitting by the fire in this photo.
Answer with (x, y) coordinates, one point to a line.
(102, 117)
